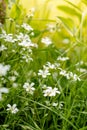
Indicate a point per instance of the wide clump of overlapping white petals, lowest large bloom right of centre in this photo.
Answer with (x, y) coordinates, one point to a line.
(50, 92)
